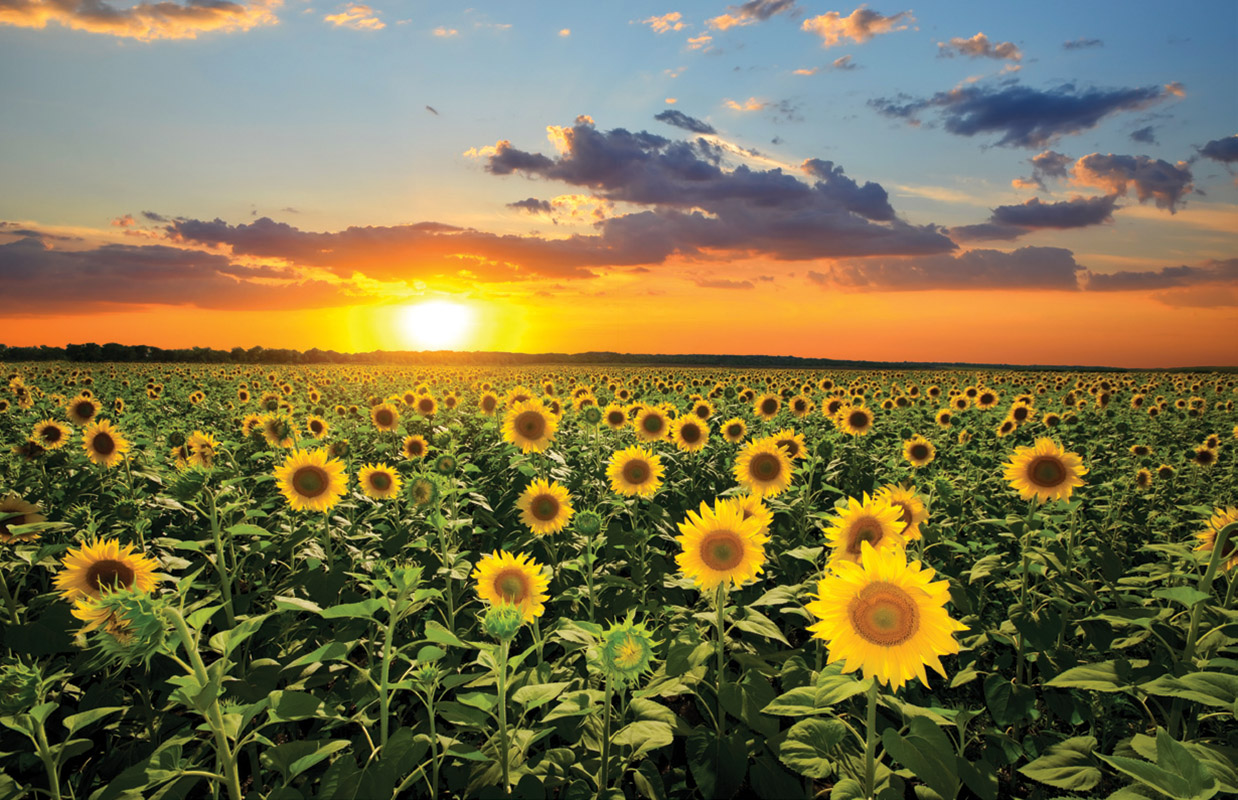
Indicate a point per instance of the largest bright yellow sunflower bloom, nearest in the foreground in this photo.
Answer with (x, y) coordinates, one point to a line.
(885, 616)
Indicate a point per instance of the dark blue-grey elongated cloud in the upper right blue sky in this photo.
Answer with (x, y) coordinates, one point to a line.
(1026, 117)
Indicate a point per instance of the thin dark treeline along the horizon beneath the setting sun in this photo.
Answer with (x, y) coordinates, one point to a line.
(93, 354)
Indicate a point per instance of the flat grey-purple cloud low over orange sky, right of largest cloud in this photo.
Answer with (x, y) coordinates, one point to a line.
(1026, 268)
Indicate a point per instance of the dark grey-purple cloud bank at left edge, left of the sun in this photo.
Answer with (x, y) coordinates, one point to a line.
(43, 280)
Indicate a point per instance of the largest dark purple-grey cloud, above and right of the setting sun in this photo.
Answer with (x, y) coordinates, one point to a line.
(698, 206)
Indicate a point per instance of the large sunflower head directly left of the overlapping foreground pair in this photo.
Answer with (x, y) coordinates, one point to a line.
(721, 546)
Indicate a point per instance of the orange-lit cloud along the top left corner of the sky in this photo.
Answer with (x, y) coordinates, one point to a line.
(144, 22)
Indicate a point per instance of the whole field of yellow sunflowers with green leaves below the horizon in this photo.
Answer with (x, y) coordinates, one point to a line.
(342, 583)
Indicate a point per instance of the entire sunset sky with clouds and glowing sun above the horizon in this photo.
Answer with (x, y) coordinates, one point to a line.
(1050, 184)
